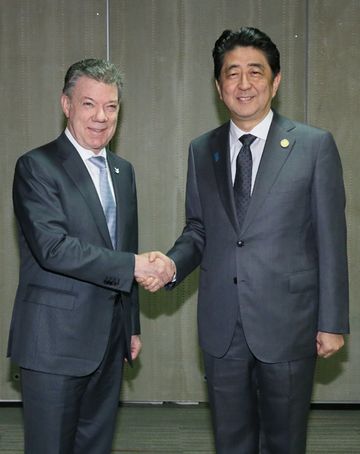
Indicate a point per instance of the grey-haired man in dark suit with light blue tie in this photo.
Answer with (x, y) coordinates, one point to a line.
(76, 313)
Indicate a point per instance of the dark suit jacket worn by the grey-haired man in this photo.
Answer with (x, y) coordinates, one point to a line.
(69, 273)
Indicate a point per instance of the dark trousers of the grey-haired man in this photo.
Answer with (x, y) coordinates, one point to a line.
(75, 415)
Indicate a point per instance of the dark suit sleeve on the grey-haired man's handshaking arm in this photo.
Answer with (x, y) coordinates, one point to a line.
(44, 229)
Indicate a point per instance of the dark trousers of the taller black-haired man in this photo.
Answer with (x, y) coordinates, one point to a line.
(258, 407)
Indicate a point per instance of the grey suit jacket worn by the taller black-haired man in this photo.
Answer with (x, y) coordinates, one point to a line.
(286, 268)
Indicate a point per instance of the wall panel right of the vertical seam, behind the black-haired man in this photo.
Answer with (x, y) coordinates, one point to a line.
(333, 103)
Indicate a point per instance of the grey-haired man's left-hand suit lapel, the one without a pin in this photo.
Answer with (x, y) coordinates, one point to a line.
(77, 171)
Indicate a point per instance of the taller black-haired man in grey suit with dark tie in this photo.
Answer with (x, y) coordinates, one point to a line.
(265, 221)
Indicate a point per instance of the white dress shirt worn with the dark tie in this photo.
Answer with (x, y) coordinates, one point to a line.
(260, 131)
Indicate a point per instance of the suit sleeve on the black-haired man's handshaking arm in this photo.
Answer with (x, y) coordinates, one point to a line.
(188, 248)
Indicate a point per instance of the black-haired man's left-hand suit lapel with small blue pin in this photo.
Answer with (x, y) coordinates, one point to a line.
(220, 154)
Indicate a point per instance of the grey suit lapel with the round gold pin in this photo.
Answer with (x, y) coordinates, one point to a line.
(278, 146)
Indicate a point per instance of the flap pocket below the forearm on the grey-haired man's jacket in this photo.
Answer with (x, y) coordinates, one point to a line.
(57, 298)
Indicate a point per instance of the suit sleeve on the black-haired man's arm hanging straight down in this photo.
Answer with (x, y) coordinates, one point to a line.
(328, 206)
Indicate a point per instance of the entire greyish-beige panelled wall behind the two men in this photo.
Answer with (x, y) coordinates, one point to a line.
(164, 48)
